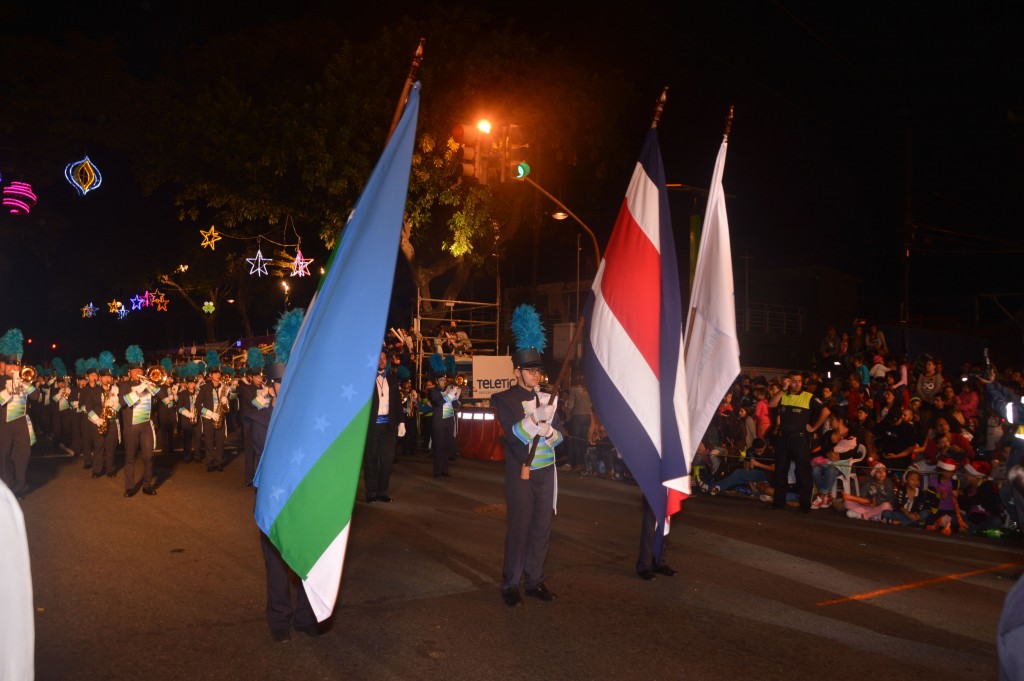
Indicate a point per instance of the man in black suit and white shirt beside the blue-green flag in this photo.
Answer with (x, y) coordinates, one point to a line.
(385, 430)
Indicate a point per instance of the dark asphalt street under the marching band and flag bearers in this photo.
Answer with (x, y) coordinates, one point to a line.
(173, 587)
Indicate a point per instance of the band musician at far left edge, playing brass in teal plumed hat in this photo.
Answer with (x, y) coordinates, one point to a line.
(16, 431)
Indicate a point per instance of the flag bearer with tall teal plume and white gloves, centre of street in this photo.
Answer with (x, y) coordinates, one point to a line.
(530, 420)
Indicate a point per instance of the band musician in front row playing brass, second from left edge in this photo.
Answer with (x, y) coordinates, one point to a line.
(137, 398)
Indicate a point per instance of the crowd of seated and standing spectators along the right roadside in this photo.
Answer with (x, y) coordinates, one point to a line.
(906, 444)
